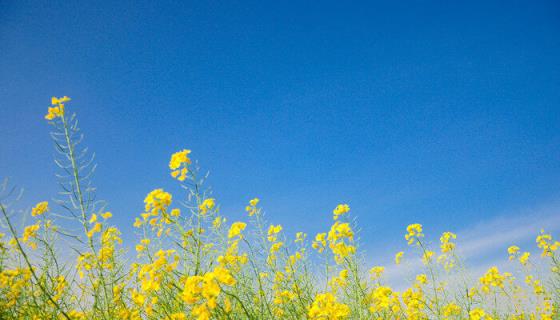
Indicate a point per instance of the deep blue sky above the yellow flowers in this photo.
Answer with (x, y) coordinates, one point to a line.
(442, 113)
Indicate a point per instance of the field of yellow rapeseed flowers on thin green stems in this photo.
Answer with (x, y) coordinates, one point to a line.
(191, 262)
